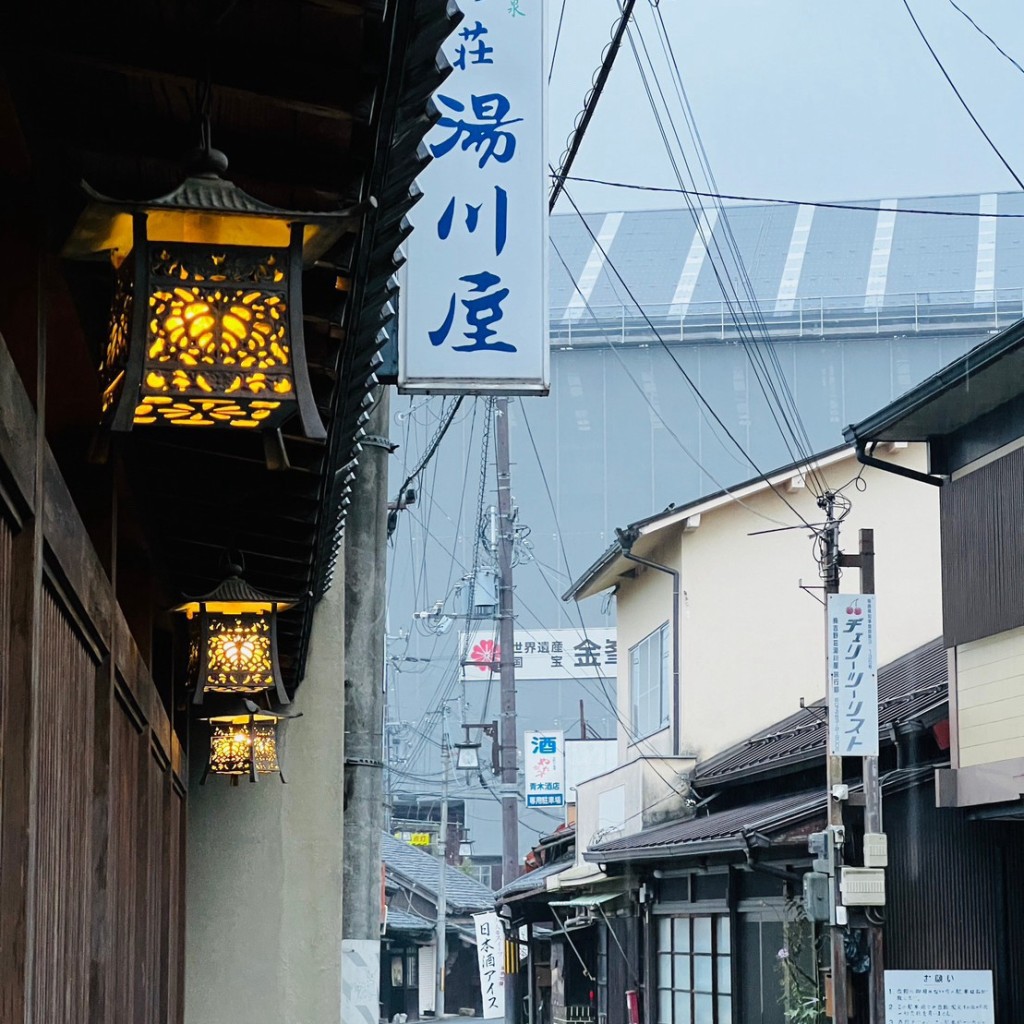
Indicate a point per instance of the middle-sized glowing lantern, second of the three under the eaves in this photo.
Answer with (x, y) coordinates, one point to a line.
(235, 644)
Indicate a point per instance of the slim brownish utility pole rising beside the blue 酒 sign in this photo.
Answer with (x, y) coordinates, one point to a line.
(509, 739)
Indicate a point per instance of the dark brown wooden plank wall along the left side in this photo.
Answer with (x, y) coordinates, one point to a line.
(92, 776)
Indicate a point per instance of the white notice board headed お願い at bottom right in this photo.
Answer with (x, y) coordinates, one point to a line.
(956, 997)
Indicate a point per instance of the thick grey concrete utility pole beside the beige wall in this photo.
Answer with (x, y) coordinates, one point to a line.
(366, 545)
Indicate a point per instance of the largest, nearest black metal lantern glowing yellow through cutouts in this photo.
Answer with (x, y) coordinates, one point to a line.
(206, 321)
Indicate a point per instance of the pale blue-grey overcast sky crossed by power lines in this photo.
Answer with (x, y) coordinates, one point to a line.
(806, 100)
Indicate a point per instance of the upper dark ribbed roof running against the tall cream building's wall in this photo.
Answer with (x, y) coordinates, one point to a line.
(908, 688)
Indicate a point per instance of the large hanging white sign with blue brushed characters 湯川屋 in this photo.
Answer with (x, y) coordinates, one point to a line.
(474, 309)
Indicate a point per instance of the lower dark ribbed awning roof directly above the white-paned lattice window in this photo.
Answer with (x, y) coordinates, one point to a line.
(754, 825)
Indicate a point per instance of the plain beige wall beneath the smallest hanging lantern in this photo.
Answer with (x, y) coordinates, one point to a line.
(264, 913)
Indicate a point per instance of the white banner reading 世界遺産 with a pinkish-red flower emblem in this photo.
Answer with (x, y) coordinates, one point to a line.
(544, 655)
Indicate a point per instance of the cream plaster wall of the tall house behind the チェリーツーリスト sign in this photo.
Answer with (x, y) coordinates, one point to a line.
(752, 642)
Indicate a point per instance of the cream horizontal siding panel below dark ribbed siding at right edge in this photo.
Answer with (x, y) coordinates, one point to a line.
(991, 699)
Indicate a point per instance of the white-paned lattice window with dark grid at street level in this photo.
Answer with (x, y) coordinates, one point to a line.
(695, 975)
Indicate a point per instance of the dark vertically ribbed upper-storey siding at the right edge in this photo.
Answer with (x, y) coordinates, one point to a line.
(983, 524)
